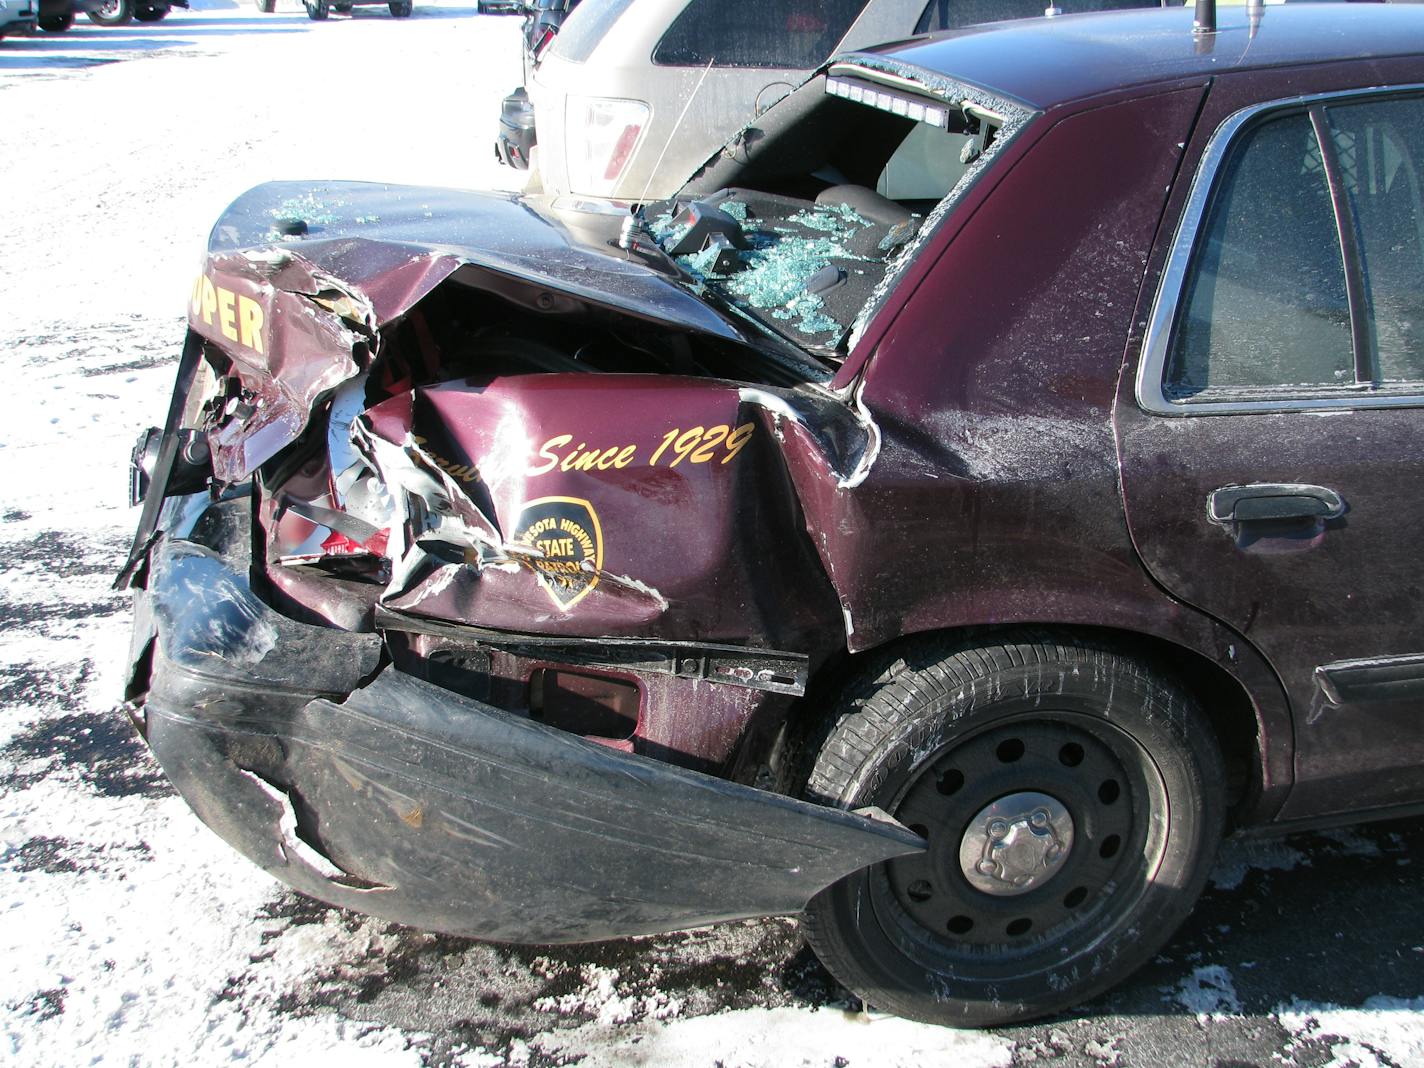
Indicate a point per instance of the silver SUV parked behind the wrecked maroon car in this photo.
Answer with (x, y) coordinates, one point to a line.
(634, 95)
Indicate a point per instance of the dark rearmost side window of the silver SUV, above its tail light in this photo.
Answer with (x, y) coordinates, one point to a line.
(757, 33)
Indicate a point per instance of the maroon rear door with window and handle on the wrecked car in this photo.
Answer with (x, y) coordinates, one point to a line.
(1272, 445)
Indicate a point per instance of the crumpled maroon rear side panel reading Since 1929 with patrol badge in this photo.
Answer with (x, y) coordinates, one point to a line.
(533, 505)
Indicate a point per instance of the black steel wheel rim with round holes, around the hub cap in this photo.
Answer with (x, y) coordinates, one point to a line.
(932, 913)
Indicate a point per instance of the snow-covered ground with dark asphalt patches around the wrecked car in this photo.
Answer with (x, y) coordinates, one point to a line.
(130, 935)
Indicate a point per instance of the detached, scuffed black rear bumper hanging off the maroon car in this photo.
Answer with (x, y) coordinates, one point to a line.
(374, 790)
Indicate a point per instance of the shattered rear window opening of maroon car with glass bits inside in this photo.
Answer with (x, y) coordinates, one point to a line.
(808, 248)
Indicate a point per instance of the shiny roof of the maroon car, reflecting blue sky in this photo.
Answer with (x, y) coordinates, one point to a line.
(1050, 62)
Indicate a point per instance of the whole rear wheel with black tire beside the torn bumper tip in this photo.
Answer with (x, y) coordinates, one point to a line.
(945, 733)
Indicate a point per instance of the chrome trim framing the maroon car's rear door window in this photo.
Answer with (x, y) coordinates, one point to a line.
(1156, 347)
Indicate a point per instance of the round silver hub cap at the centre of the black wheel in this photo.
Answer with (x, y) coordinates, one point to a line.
(1016, 844)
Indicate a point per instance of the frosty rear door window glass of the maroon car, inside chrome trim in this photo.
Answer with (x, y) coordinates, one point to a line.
(1307, 268)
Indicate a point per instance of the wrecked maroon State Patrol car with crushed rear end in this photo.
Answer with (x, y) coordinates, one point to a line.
(989, 483)
